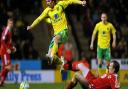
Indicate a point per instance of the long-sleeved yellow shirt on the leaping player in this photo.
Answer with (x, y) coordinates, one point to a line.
(56, 15)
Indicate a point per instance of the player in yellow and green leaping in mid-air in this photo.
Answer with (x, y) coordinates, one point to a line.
(56, 16)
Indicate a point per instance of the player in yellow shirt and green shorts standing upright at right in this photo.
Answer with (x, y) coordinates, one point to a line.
(104, 29)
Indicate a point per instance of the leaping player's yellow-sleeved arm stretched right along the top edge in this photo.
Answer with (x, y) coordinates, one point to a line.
(69, 2)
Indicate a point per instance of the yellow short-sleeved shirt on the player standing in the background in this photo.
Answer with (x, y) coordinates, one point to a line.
(104, 33)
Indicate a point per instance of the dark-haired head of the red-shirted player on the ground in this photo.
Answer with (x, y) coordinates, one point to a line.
(114, 67)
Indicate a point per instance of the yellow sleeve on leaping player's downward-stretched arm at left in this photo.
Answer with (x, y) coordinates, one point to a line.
(41, 17)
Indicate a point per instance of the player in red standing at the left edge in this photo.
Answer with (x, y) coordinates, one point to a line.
(6, 48)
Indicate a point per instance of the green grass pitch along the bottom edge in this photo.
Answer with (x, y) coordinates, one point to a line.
(47, 86)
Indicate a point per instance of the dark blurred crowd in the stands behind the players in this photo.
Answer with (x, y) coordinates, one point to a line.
(23, 39)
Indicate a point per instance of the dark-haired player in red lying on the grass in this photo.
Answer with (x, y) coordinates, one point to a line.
(89, 81)
